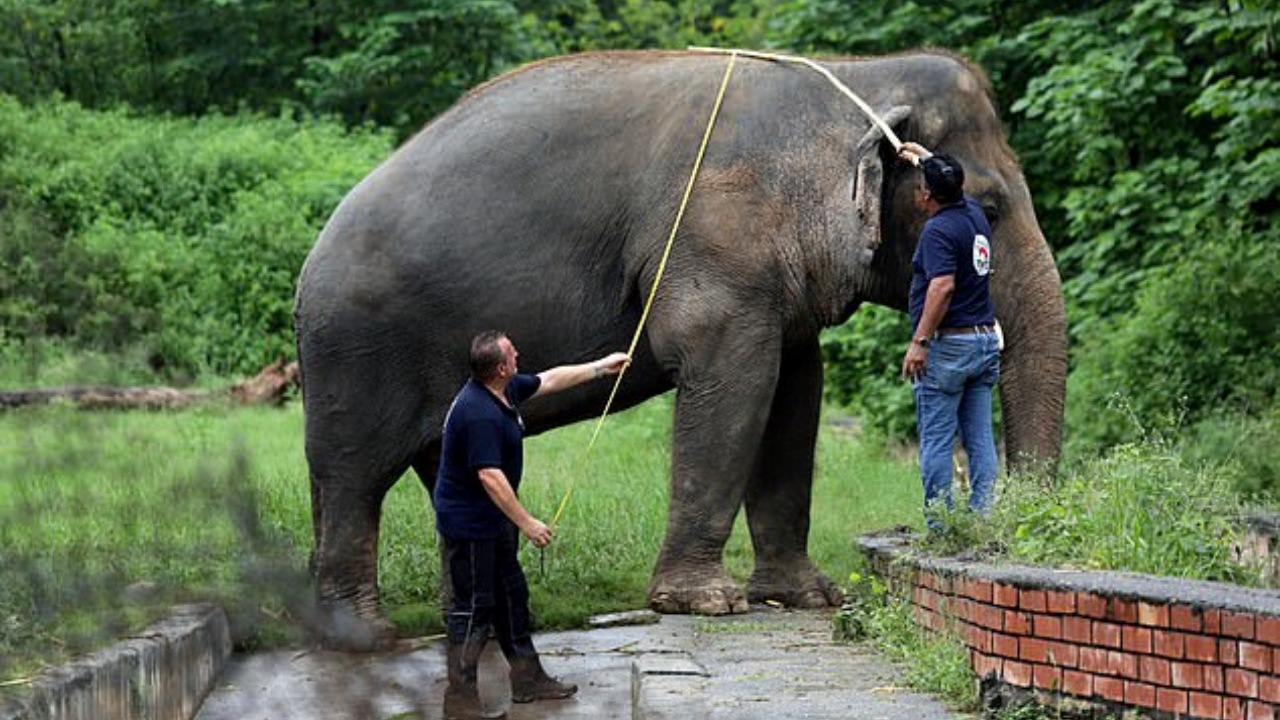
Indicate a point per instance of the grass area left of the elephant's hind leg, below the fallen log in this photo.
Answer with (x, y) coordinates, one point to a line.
(107, 518)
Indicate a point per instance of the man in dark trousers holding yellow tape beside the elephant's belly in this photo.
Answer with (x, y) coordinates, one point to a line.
(481, 517)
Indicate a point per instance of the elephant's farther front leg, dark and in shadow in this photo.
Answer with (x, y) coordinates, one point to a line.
(780, 494)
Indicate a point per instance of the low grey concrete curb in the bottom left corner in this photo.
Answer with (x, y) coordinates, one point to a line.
(162, 675)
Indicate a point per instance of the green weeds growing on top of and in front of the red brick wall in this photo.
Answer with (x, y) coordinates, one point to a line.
(1140, 508)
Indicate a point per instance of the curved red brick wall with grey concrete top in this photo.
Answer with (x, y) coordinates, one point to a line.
(1165, 648)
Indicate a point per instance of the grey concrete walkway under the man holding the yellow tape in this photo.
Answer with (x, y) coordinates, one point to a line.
(762, 666)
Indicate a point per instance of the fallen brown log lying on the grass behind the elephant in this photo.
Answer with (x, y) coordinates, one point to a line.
(269, 388)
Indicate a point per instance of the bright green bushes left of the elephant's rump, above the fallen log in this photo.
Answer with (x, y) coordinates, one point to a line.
(179, 240)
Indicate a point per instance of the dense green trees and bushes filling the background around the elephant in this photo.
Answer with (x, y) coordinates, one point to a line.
(164, 168)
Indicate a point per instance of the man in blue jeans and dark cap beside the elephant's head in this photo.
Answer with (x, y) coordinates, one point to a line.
(954, 357)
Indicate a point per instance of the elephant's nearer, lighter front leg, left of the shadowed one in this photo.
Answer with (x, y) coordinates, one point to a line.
(721, 411)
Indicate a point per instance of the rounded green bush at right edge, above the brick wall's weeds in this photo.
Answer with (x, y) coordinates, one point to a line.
(1190, 350)
